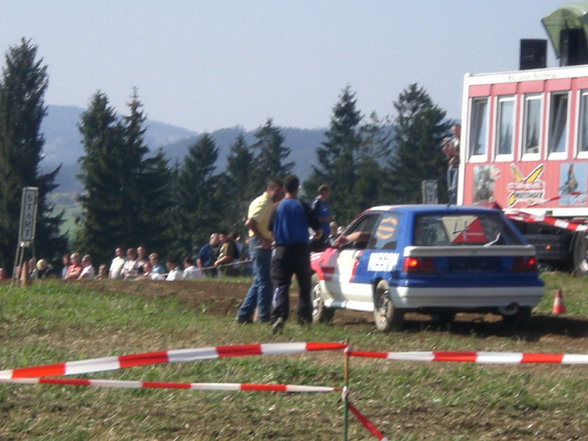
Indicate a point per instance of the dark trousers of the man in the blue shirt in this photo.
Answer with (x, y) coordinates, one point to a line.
(286, 261)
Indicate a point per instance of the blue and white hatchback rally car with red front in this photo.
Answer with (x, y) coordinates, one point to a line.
(432, 259)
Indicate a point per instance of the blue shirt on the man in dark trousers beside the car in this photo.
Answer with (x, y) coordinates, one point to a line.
(290, 224)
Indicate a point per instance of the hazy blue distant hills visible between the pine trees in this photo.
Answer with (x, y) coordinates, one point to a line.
(63, 144)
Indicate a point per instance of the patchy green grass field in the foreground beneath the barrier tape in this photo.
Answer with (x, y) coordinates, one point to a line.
(52, 322)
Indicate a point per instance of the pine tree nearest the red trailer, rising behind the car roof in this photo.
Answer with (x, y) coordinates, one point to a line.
(419, 127)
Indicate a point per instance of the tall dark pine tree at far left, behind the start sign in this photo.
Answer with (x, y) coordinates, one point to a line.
(22, 109)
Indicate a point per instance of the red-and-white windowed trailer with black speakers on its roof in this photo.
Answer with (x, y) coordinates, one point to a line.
(524, 143)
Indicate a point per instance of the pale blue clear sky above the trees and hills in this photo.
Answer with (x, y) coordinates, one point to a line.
(206, 65)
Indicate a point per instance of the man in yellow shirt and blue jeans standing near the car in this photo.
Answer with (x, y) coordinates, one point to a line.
(260, 252)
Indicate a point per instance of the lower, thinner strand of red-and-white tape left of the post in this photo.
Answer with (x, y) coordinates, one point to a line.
(124, 384)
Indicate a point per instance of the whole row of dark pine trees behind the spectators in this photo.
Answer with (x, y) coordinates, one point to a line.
(133, 195)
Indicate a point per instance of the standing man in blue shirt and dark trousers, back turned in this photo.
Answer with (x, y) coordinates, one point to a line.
(289, 223)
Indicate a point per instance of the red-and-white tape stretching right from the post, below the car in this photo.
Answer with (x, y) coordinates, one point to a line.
(477, 357)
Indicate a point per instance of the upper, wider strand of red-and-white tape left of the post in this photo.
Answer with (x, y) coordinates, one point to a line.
(172, 356)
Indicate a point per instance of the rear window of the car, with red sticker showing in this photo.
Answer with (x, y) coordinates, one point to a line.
(450, 229)
